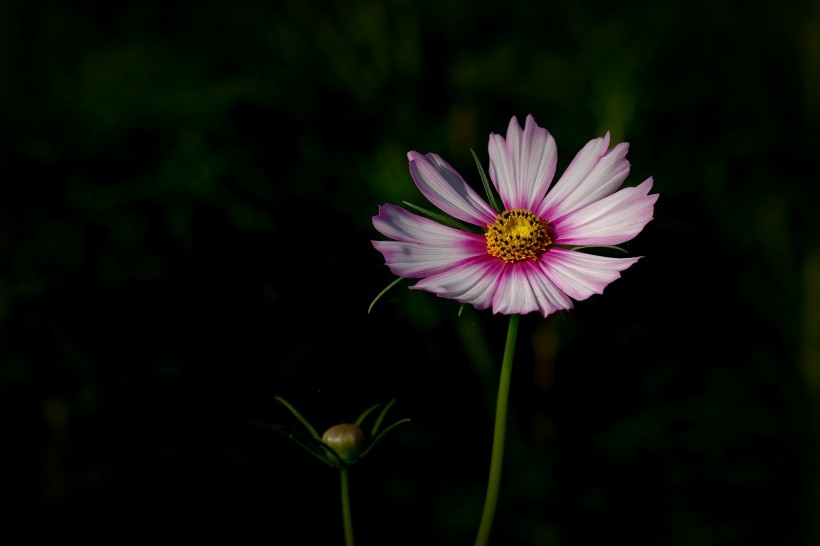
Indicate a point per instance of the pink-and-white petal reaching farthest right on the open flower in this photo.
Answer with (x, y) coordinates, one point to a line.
(610, 221)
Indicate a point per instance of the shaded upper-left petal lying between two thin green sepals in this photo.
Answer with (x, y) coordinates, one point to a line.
(447, 190)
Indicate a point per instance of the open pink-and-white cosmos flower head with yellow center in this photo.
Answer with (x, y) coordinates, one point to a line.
(524, 258)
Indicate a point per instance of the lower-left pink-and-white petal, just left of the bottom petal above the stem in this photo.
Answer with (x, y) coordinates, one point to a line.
(472, 281)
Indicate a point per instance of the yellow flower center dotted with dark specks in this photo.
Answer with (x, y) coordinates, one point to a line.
(517, 235)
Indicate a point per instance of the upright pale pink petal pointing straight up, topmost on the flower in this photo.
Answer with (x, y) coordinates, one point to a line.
(522, 167)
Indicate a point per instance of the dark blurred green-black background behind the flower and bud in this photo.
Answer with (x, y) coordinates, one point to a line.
(185, 226)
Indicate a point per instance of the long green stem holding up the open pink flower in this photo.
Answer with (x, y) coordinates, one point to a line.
(494, 481)
